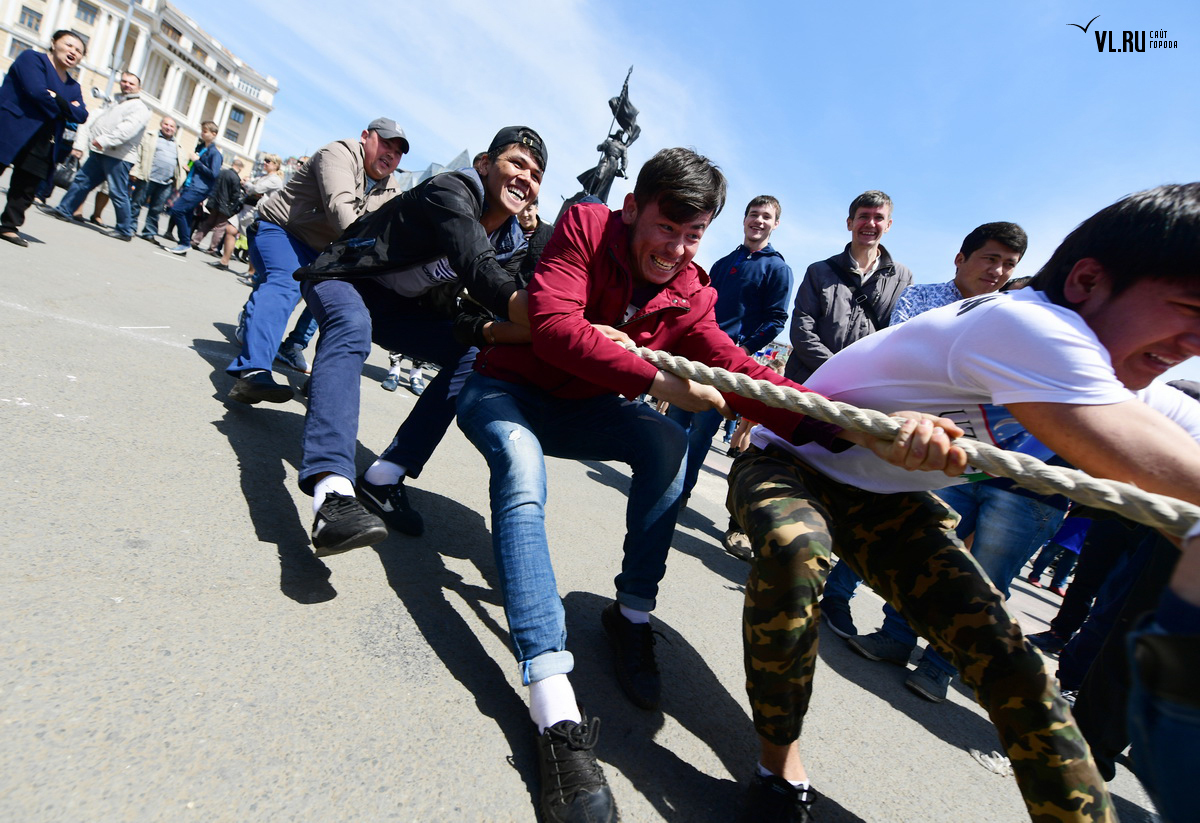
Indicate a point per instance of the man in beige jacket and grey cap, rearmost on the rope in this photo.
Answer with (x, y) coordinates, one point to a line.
(340, 184)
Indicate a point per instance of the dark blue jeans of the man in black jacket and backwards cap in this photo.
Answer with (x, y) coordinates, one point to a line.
(353, 315)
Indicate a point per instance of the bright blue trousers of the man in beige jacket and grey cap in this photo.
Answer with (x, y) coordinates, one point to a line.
(277, 255)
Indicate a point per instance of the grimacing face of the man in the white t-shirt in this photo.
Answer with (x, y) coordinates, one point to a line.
(1148, 329)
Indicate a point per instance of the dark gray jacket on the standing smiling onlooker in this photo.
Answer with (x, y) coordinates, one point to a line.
(827, 319)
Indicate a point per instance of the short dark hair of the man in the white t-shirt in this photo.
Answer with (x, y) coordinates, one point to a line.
(1150, 236)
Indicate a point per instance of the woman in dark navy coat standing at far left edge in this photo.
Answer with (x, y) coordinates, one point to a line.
(37, 100)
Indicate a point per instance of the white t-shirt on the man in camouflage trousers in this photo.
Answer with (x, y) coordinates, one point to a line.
(967, 362)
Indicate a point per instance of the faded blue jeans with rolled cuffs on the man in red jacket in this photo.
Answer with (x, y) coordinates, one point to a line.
(515, 428)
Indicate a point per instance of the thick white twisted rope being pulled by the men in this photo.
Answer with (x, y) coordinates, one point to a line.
(1156, 510)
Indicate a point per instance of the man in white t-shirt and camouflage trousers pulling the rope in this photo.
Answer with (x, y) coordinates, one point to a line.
(1069, 364)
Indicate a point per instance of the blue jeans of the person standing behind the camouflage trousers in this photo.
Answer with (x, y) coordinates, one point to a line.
(1007, 527)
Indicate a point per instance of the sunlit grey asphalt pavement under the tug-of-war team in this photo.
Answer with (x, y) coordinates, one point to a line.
(172, 650)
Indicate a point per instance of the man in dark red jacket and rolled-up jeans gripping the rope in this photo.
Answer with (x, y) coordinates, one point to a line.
(608, 275)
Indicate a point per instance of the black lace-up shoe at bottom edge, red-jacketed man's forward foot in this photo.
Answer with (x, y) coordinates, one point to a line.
(573, 784)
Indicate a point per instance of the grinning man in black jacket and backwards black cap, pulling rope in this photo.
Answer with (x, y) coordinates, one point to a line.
(375, 285)
